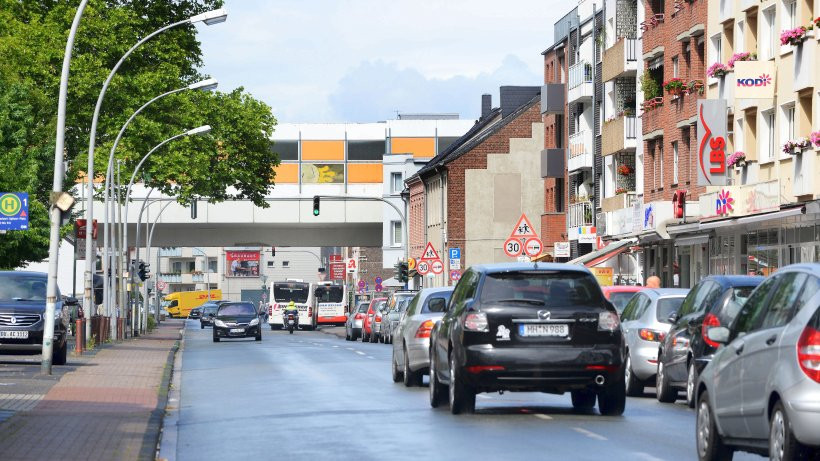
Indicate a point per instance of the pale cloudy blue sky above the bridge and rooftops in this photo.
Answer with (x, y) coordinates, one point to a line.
(364, 60)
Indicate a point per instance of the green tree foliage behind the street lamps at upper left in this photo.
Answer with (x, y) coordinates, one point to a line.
(234, 161)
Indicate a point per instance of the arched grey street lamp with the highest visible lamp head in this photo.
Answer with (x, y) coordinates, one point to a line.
(209, 17)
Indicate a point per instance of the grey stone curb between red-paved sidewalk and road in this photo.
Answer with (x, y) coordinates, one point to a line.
(166, 446)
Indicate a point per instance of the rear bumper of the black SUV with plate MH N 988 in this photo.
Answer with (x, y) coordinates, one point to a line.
(545, 369)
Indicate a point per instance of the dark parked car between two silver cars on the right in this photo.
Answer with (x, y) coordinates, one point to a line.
(682, 355)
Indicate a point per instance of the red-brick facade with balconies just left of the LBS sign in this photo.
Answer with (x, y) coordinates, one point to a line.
(660, 150)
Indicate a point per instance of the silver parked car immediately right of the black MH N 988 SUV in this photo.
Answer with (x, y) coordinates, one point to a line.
(645, 322)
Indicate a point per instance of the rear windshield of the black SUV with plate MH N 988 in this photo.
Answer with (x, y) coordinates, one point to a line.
(542, 288)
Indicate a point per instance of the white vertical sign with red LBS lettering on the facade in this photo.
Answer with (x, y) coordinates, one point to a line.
(711, 145)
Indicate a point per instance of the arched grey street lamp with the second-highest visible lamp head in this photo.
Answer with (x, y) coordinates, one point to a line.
(203, 85)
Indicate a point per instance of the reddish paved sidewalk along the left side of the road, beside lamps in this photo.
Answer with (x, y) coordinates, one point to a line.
(109, 407)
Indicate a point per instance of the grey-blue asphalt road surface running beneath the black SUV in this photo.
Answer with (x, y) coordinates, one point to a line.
(314, 396)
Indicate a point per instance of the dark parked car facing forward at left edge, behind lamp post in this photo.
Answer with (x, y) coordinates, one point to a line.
(22, 315)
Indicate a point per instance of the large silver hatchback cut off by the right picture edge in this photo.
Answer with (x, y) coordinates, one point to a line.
(760, 391)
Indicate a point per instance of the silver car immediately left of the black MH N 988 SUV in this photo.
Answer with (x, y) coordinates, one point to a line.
(411, 347)
